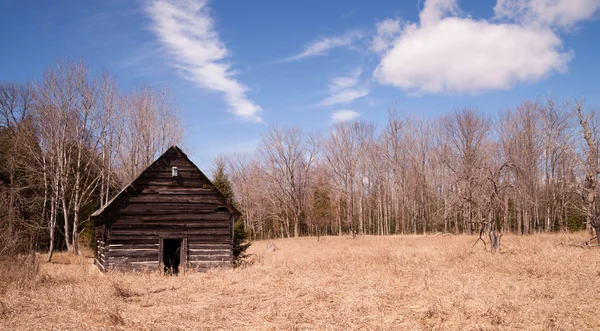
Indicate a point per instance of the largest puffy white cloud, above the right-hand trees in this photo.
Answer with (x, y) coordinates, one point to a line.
(447, 53)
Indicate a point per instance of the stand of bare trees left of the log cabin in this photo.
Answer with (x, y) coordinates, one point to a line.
(68, 142)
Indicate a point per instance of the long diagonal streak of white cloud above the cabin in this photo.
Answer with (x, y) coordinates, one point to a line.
(186, 31)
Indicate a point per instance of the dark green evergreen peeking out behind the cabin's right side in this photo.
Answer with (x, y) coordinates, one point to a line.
(240, 244)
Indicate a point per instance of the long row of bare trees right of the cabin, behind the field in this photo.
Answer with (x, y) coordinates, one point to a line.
(525, 170)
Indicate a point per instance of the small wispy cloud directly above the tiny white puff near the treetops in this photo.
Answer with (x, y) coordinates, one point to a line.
(345, 90)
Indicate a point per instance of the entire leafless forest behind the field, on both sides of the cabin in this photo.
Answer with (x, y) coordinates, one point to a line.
(70, 140)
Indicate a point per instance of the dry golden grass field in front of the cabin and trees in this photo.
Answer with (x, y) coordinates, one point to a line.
(368, 283)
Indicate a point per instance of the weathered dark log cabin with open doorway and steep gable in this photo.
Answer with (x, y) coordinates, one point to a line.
(170, 218)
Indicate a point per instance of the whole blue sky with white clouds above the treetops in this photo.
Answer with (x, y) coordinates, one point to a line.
(238, 67)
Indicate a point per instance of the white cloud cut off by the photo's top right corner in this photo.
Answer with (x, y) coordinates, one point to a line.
(561, 13)
